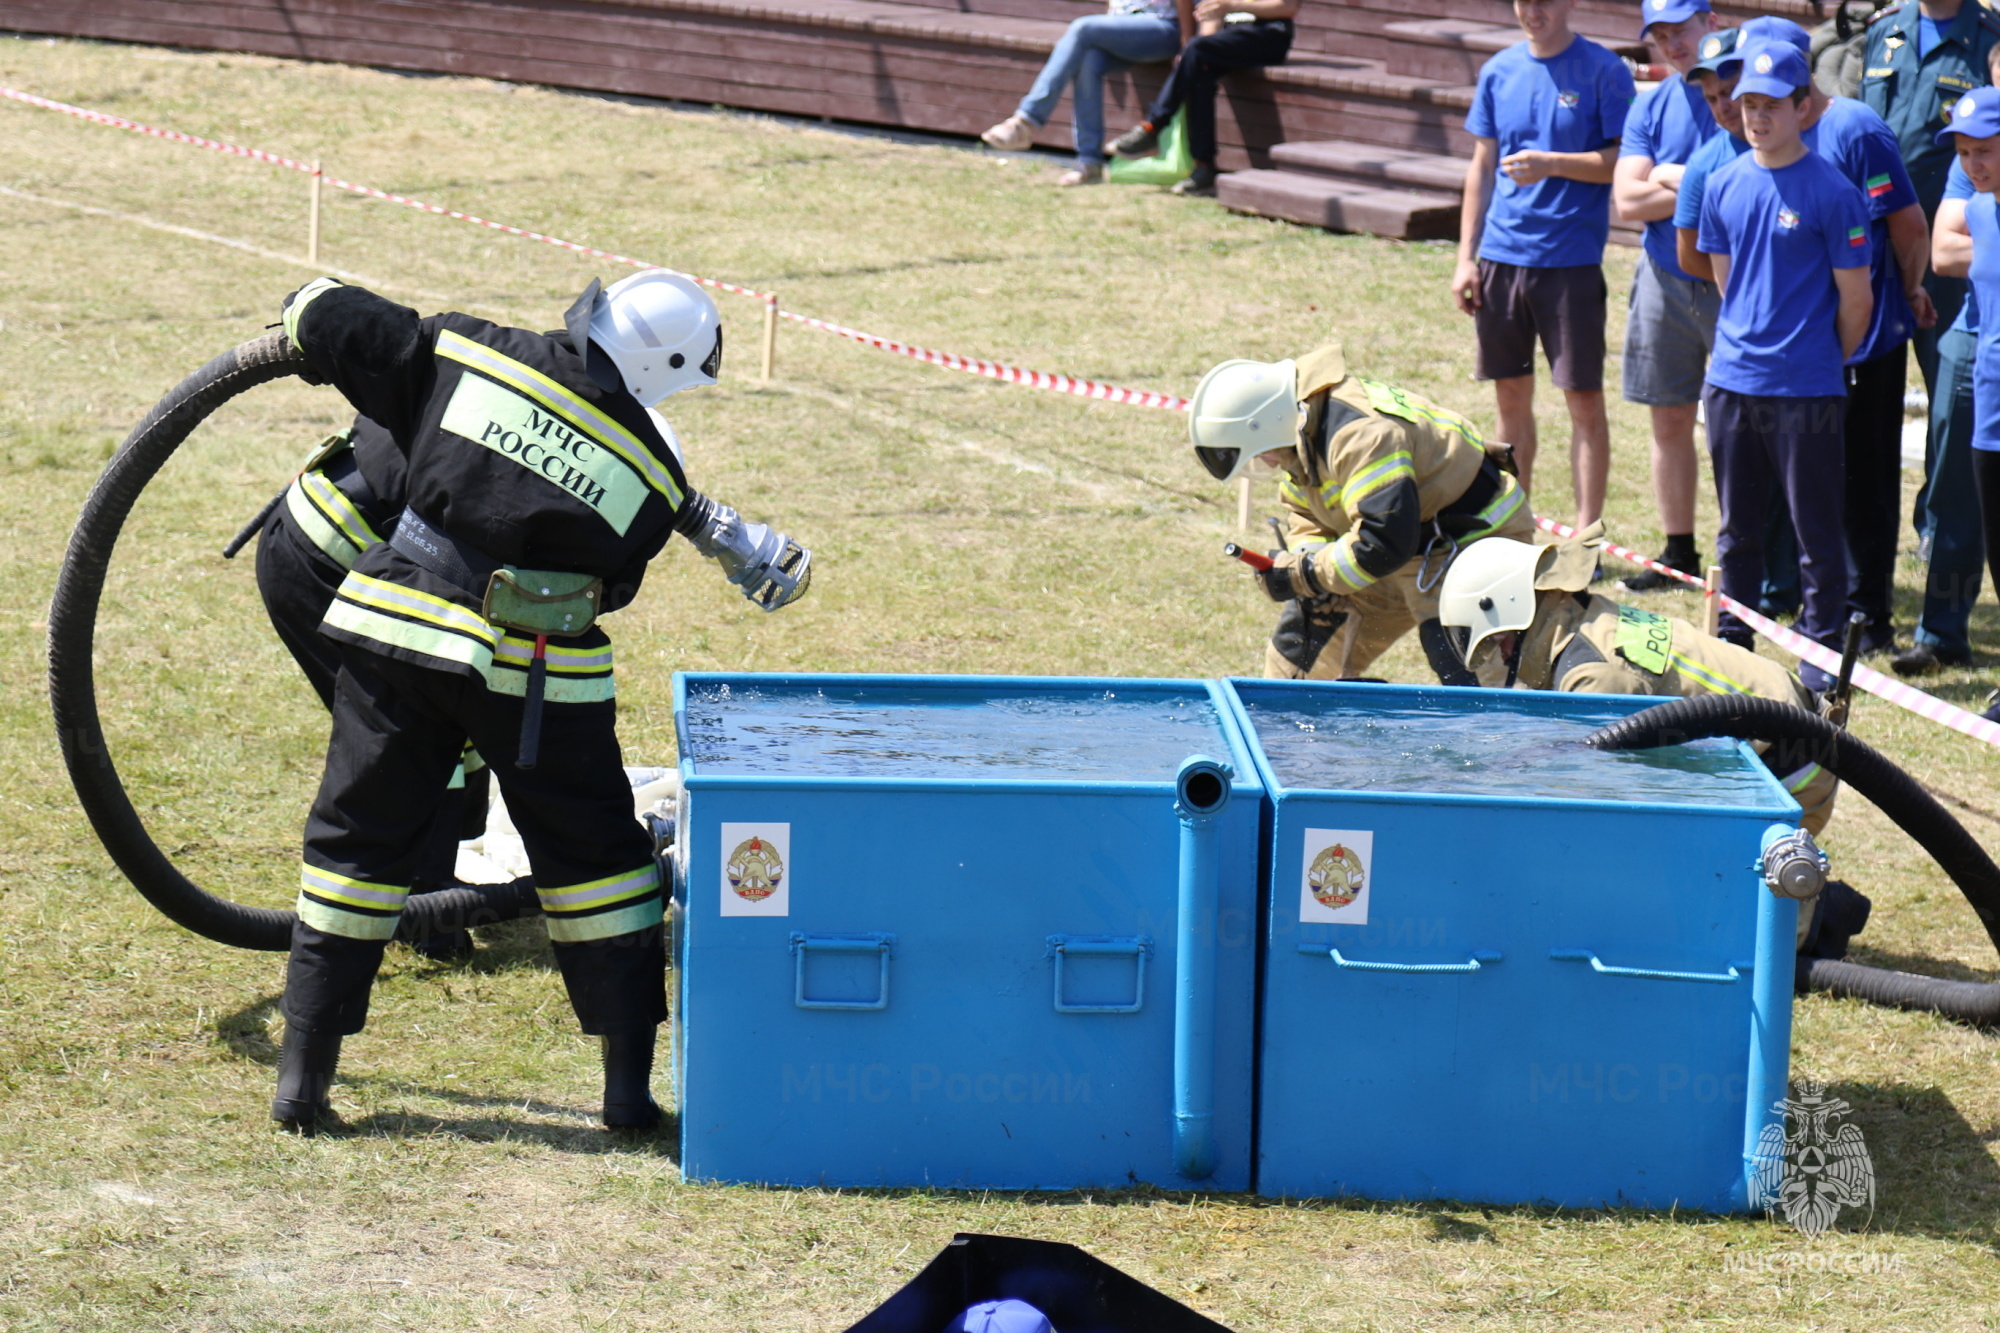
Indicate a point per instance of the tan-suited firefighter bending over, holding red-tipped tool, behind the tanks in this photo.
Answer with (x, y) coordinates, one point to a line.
(1383, 487)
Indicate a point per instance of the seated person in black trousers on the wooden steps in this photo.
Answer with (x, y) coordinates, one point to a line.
(1235, 35)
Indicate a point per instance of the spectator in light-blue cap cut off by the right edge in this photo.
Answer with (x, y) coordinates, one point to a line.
(1949, 505)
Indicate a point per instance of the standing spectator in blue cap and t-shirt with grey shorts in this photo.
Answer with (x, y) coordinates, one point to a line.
(1671, 321)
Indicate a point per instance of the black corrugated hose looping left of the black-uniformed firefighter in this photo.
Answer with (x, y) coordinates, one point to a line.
(73, 686)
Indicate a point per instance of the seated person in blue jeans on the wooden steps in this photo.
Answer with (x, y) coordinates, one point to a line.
(1097, 45)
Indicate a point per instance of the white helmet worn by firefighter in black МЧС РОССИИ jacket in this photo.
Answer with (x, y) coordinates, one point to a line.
(659, 329)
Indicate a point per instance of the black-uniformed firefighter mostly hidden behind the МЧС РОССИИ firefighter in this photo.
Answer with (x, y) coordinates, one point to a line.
(341, 503)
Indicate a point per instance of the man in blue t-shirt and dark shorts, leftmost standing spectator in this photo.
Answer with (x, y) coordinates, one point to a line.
(1531, 255)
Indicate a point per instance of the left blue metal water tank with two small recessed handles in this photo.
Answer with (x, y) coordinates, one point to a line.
(965, 932)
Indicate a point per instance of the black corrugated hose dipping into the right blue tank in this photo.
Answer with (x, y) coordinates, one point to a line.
(1801, 738)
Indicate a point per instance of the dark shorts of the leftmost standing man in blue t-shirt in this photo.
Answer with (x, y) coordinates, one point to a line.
(1563, 309)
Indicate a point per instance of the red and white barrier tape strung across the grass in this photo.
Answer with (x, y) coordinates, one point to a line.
(1819, 655)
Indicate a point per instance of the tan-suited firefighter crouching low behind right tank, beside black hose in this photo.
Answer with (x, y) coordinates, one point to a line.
(1521, 617)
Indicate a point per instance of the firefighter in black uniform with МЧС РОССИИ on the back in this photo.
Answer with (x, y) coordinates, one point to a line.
(537, 491)
